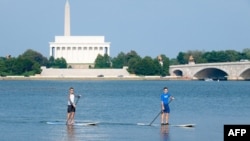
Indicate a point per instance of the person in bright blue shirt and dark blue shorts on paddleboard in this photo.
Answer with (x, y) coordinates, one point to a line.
(165, 100)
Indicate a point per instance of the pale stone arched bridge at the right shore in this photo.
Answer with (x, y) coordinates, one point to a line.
(215, 71)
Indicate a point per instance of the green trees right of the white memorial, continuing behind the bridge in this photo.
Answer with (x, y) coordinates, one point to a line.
(160, 64)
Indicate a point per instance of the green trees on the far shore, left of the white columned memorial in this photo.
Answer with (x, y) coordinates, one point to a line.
(29, 63)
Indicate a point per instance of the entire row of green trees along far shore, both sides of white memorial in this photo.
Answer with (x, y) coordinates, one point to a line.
(30, 62)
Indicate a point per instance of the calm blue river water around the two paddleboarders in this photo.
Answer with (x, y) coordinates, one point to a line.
(118, 106)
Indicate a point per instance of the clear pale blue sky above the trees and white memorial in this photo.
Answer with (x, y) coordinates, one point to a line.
(149, 27)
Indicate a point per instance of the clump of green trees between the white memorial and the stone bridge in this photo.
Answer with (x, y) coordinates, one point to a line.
(135, 63)
